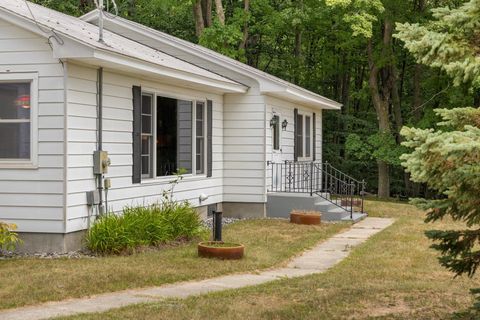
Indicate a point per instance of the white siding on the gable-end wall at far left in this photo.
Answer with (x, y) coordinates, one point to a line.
(33, 197)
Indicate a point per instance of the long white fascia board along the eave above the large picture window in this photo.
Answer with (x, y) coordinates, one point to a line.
(164, 72)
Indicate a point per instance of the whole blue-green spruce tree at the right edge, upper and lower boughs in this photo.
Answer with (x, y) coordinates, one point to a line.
(447, 159)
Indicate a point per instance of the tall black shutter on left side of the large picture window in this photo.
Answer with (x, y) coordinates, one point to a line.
(137, 135)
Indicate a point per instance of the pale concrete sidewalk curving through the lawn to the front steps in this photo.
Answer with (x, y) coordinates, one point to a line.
(316, 260)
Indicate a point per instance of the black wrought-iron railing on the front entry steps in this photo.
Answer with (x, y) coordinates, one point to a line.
(318, 178)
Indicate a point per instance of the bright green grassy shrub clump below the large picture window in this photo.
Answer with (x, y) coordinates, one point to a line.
(144, 226)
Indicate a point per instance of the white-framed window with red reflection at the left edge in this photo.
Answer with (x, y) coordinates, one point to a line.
(17, 115)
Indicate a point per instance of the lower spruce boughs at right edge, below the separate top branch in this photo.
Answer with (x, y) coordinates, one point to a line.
(448, 160)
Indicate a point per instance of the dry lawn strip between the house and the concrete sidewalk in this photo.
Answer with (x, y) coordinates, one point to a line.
(268, 243)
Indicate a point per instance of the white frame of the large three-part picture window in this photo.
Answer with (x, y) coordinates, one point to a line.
(156, 93)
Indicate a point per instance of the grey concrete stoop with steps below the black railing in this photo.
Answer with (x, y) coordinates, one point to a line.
(279, 205)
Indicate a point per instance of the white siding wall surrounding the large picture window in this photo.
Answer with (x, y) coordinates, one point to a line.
(117, 140)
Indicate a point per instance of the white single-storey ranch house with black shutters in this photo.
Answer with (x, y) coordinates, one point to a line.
(154, 103)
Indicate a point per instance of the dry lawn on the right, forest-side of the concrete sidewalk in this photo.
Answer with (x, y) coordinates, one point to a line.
(394, 275)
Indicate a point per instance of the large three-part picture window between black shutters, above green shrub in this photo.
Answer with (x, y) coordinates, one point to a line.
(173, 136)
